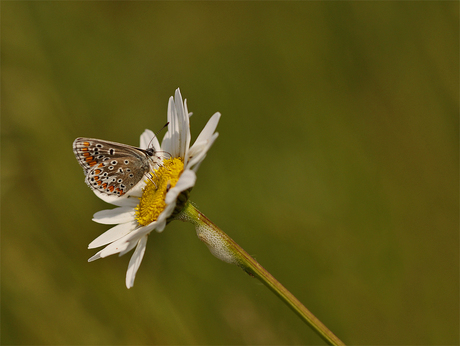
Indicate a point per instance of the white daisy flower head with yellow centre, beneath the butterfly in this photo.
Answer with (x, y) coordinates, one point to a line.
(156, 200)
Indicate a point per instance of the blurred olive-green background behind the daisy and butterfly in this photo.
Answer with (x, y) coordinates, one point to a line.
(336, 168)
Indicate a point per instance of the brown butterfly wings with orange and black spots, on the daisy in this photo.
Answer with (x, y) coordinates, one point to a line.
(112, 168)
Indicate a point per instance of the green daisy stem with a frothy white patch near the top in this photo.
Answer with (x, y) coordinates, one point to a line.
(225, 248)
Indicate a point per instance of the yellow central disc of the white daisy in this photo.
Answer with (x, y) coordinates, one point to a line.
(152, 202)
